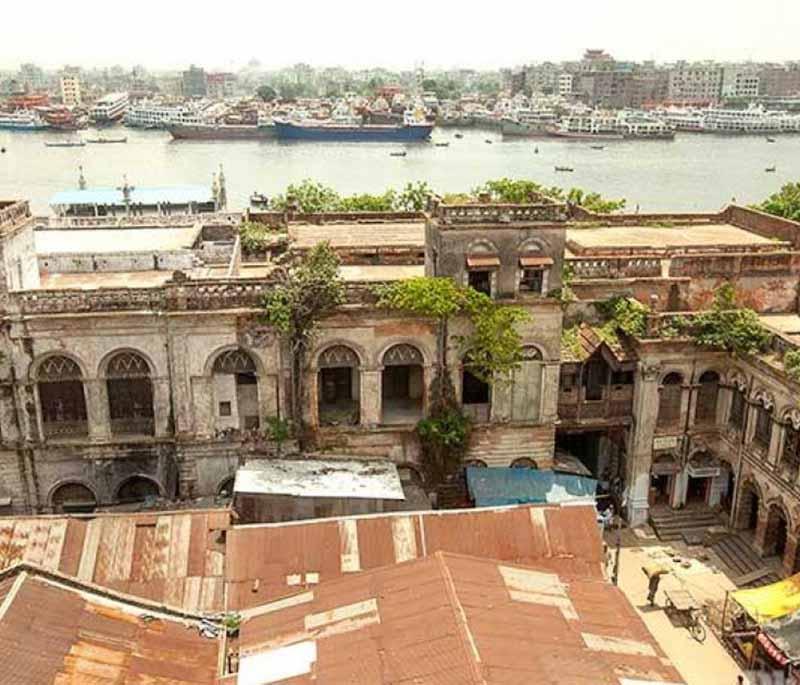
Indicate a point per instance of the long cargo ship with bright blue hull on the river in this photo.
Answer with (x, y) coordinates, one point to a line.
(353, 131)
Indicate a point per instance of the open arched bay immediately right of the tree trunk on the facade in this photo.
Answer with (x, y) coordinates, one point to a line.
(339, 387)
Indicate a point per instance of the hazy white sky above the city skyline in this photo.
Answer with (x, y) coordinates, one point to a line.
(400, 33)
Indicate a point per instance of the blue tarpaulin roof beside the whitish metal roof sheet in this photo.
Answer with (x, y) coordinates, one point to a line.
(492, 487)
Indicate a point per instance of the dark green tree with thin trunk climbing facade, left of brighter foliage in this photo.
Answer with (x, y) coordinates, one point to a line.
(306, 293)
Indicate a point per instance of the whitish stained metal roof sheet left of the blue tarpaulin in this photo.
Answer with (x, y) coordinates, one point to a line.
(358, 478)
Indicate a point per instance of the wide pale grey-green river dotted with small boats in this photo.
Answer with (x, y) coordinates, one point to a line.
(692, 173)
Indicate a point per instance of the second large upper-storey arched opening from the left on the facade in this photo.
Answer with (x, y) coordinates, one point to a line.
(130, 395)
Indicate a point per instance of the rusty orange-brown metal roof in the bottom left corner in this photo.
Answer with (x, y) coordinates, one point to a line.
(60, 635)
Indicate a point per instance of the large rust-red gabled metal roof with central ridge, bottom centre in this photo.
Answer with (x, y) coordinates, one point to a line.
(452, 619)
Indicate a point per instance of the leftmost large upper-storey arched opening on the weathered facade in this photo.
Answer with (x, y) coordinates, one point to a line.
(61, 398)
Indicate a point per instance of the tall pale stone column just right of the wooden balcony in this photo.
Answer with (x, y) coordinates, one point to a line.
(640, 452)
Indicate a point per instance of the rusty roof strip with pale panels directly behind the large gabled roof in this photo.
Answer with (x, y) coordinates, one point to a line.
(268, 561)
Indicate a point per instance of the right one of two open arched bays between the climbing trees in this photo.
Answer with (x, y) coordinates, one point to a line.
(402, 385)
